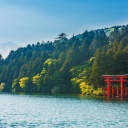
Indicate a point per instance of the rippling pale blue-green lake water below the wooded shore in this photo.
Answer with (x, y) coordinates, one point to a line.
(54, 111)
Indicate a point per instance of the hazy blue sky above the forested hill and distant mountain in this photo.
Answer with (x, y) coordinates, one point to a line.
(30, 21)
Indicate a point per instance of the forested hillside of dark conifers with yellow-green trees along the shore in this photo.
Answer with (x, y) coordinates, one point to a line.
(72, 65)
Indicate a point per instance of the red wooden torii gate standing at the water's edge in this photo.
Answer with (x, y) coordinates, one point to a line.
(120, 92)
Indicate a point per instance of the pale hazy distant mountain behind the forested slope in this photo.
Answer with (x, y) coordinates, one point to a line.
(6, 47)
